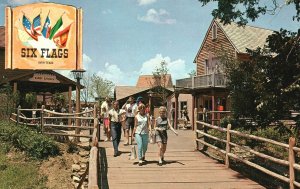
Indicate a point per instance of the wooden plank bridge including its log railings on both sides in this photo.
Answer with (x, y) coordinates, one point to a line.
(185, 167)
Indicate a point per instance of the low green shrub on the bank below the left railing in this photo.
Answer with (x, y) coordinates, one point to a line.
(36, 145)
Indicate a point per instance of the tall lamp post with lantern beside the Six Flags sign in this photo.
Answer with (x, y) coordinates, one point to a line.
(78, 75)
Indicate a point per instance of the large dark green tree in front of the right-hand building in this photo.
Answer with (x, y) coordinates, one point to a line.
(267, 87)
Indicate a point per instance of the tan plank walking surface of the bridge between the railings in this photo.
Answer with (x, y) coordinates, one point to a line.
(184, 168)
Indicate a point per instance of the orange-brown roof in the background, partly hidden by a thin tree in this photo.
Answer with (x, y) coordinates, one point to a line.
(149, 81)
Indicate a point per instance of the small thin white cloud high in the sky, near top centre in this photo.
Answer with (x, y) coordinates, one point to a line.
(158, 17)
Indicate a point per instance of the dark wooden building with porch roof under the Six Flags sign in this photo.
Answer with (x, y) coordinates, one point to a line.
(43, 82)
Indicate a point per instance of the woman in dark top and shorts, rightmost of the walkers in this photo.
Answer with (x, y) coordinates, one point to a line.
(161, 125)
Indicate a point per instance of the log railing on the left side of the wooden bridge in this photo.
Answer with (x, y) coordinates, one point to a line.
(51, 119)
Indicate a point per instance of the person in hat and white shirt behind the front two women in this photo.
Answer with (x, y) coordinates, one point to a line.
(130, 108)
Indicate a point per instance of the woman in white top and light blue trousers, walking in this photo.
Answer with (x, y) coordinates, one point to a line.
(141, 132)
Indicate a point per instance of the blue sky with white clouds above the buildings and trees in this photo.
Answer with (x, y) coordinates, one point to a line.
(123, 39)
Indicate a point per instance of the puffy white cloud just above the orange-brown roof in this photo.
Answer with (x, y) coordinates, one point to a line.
(177, 68)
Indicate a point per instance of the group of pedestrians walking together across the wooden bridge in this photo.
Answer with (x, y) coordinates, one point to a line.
(137, 124)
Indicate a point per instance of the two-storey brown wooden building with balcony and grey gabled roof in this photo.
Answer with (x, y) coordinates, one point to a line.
(208, 87)
